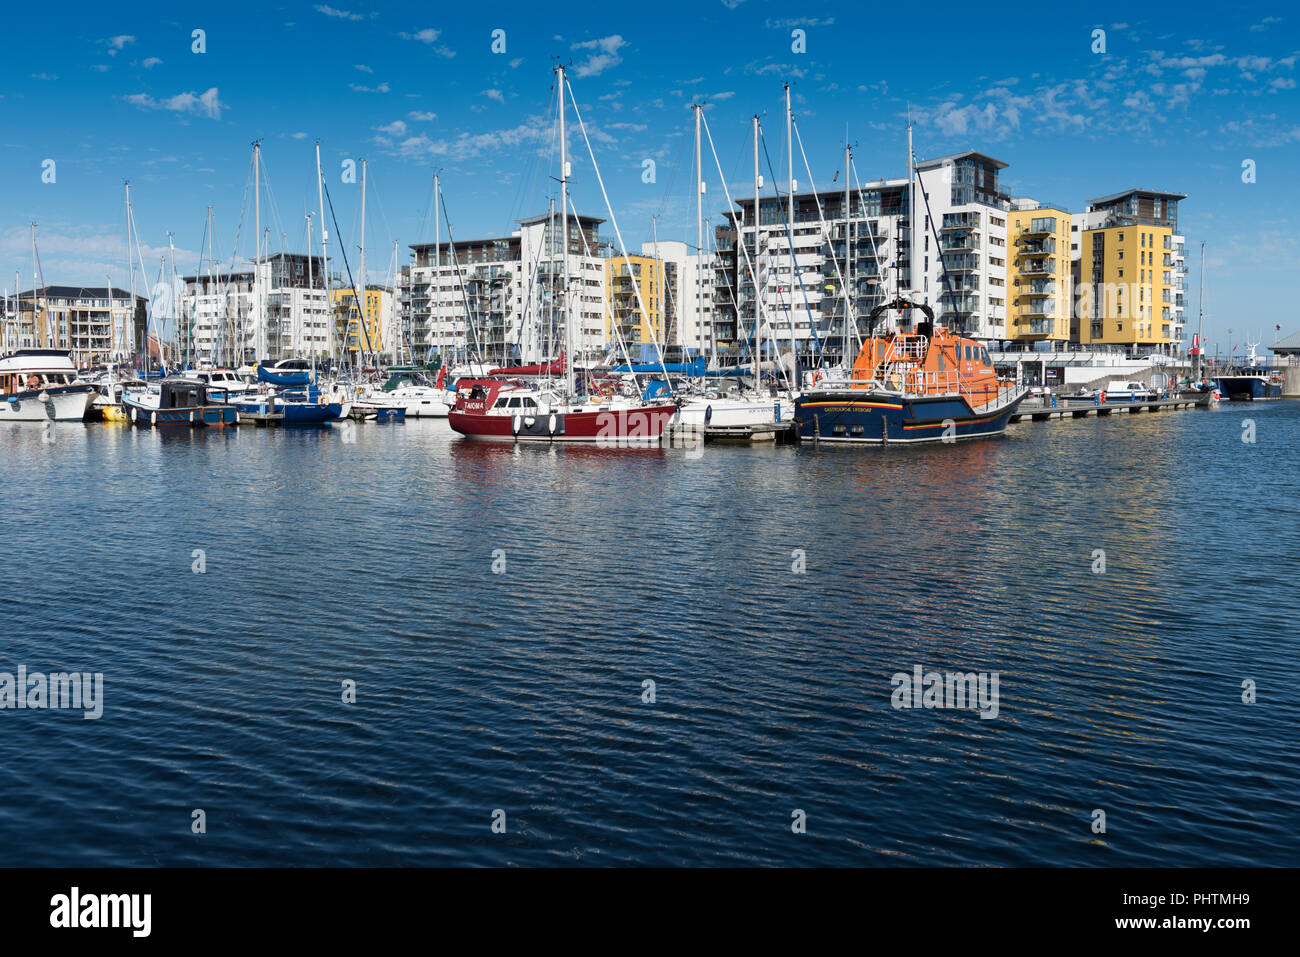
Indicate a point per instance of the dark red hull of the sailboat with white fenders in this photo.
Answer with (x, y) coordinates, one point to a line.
(609, 426)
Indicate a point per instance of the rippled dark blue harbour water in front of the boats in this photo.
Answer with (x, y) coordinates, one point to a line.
(366, 555)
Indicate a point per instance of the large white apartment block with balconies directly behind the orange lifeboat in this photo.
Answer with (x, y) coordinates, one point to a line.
(963, 216)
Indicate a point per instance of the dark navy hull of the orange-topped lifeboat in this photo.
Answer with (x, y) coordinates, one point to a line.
(870, 418)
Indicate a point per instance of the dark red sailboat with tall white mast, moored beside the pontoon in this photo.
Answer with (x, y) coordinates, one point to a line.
(506, 409)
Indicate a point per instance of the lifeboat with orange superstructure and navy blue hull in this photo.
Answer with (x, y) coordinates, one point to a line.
(925, 387)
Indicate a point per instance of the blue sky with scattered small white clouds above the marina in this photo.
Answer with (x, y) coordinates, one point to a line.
(1180, 101)
